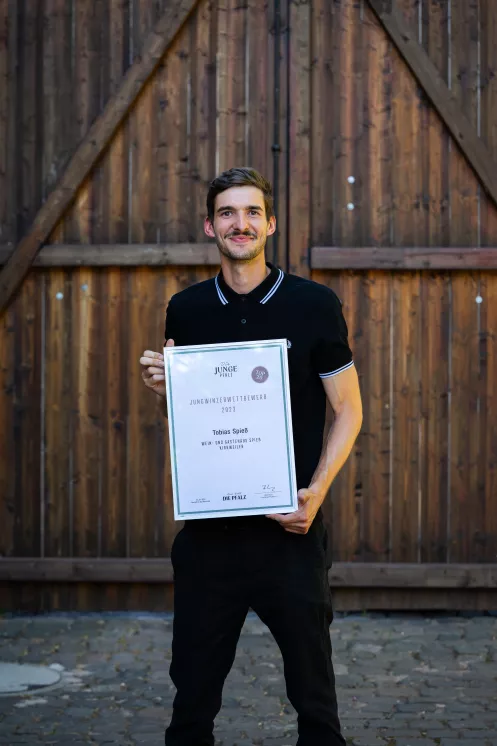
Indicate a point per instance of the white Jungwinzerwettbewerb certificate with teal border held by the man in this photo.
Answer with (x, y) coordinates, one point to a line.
(230, 429)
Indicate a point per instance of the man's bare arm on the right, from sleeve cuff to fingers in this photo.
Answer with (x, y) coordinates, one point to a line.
(344, 396)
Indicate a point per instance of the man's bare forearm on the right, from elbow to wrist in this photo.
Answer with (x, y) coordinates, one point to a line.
(336, 450)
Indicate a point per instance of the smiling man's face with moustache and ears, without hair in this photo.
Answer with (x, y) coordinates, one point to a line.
(240, 226)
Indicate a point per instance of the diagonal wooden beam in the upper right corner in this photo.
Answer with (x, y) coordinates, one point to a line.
(445, 103)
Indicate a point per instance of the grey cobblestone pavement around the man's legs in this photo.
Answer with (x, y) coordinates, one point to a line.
(402, 680)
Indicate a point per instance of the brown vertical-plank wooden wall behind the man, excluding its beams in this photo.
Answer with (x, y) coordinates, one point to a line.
(365, 161)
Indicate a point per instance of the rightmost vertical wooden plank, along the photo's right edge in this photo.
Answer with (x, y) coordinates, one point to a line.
(486, 549)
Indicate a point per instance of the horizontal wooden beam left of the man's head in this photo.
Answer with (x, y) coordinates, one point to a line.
(122, 255)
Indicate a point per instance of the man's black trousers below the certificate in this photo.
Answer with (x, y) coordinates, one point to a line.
(223, 568)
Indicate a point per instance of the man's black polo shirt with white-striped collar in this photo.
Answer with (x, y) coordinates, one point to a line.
(283, 306)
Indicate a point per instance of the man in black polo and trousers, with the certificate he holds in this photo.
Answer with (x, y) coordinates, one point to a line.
(251, 357)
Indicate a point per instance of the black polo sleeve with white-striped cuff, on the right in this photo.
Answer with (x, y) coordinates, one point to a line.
(331, 351)
